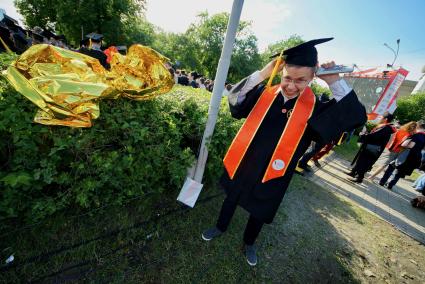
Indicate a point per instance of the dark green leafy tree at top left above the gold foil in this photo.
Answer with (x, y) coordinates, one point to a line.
(74, 17)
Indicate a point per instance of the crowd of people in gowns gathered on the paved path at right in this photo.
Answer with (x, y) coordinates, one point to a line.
(396, 150)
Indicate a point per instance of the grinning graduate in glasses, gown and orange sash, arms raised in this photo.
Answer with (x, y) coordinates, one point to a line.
(247, 187)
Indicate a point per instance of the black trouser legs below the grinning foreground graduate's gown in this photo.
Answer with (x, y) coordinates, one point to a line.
(252, 229)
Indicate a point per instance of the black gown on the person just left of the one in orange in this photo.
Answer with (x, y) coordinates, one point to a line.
(380, 137)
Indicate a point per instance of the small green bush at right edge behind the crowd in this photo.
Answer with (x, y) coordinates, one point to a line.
(411, 108)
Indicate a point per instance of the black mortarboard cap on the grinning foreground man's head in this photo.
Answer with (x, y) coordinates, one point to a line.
(304, 54)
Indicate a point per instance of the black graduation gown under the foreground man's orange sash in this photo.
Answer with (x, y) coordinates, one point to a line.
(327, 122)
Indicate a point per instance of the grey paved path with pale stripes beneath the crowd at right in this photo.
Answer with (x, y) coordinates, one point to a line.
(391, 205)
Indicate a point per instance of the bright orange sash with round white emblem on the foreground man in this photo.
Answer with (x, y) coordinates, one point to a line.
(288, 141)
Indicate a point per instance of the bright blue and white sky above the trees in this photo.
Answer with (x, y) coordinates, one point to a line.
(360, 27)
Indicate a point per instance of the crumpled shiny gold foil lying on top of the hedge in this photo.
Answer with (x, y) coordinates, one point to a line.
(68, 85)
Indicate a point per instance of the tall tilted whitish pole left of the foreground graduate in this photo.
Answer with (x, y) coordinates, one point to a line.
(220, 80)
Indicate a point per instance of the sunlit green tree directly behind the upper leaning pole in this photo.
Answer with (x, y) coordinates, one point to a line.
(199, 48)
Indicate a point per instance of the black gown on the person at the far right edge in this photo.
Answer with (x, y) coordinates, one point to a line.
(413, 160)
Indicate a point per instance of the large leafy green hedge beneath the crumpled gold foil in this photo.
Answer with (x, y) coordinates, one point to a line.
(133, 148)
